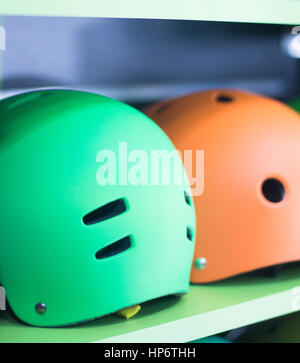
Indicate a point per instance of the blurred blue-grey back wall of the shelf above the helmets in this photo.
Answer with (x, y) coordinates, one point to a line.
(142, 61)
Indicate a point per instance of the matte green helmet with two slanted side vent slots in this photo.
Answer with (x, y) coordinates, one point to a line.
(74, 247)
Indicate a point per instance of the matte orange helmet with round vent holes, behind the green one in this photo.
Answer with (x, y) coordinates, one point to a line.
(248, 216)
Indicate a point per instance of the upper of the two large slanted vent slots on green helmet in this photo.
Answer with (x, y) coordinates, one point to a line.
(105, 212)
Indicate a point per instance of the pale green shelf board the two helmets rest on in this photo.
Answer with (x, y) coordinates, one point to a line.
(206, 310)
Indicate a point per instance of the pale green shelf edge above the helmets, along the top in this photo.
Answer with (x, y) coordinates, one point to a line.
(258, 11)
